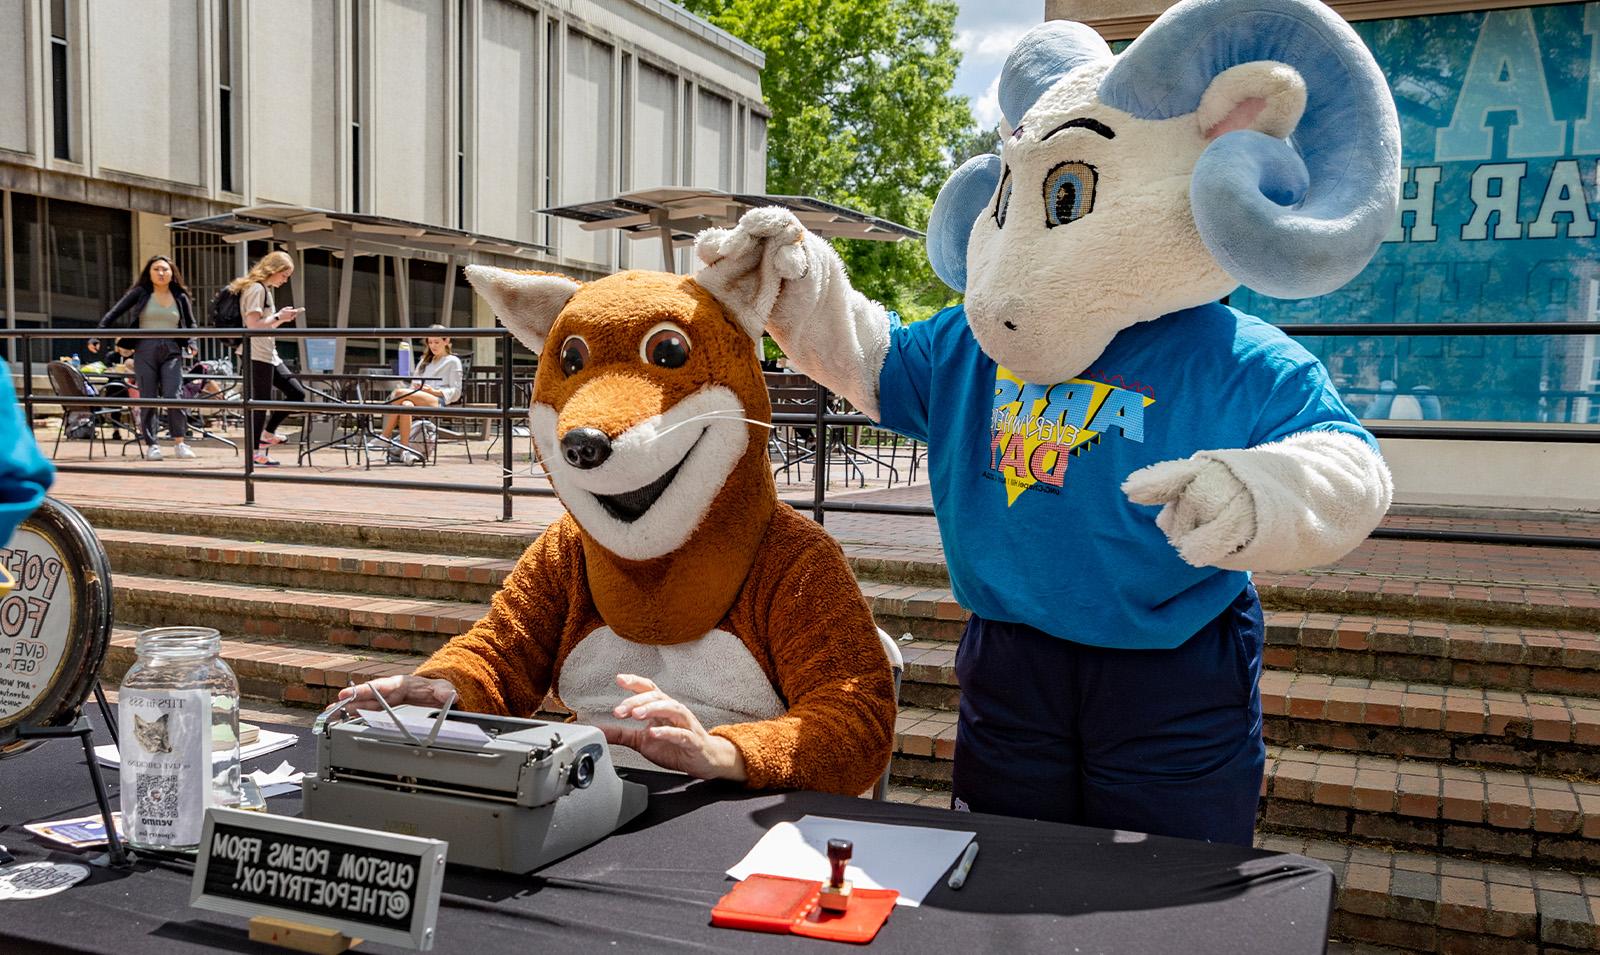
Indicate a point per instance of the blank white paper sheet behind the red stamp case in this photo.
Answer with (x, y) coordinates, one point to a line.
(905, 858)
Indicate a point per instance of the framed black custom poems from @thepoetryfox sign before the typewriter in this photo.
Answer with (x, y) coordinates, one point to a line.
(359, 882)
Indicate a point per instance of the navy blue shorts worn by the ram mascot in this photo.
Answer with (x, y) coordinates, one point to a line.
(1162, 741)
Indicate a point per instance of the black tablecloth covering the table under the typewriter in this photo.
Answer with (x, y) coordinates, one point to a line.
(650, 887)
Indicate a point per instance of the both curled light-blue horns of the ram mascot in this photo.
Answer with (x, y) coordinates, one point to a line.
(1290, 218)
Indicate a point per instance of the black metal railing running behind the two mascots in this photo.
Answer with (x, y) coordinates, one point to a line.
(822, 420)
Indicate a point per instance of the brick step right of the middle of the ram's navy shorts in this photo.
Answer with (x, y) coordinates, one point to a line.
(1505, 730)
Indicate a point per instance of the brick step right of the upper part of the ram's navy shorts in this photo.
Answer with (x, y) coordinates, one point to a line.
(1535, 660)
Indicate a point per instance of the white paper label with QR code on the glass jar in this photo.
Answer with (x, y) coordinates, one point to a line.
(166, 748)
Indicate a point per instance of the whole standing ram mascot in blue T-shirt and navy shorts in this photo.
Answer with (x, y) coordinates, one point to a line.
(1113, 450)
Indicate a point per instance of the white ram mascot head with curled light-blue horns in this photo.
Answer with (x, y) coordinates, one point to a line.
(1231, 145)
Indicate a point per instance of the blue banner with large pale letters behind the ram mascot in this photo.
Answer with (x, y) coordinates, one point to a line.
(1500, 119)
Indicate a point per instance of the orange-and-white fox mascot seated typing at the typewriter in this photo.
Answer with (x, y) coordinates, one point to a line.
(678, 604)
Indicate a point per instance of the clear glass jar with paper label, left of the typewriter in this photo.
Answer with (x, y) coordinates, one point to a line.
(178, 733)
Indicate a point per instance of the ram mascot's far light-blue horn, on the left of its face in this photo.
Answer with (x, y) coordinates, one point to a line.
(1042, 57)
